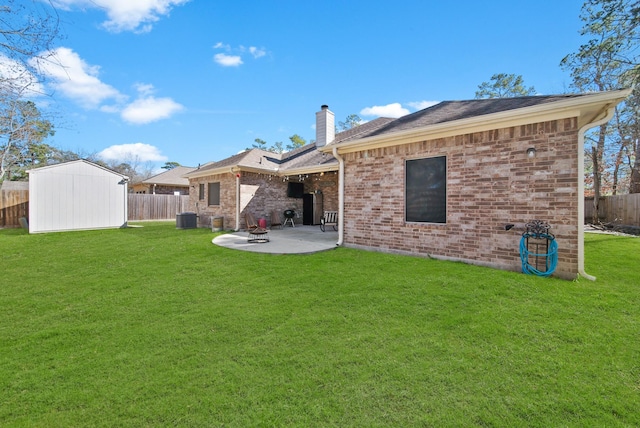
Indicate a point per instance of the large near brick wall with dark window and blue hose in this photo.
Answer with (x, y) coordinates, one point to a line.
(490, 182)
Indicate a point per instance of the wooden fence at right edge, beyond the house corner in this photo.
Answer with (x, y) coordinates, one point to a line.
(619, 209)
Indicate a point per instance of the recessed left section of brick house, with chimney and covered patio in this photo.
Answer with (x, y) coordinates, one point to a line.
(261, 182)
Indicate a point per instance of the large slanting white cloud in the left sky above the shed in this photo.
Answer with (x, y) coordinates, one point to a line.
(74, 78)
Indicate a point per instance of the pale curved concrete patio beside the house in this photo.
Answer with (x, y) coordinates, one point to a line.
(288, 240)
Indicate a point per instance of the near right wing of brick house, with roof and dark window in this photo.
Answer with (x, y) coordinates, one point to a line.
(443, 182)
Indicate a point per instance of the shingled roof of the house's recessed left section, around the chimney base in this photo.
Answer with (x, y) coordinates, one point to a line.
(302, 160)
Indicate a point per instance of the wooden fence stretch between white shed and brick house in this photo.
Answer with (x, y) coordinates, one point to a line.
(156, 207)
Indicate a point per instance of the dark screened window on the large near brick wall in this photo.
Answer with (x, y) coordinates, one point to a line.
(426, 190)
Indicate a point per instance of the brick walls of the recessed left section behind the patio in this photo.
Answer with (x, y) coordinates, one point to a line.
(260, 195)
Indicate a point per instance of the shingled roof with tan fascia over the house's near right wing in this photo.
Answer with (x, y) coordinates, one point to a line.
(450, 118)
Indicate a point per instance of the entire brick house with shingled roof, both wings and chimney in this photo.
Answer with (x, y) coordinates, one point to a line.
(442, 182)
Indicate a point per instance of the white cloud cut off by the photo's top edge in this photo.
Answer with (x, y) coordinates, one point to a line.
(126, 15)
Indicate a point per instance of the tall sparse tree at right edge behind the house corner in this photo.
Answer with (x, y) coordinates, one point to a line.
(608, 60)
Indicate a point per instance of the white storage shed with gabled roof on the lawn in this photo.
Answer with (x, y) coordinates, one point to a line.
(76, 195)
